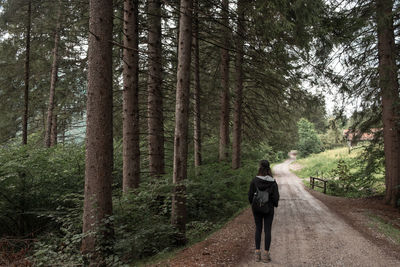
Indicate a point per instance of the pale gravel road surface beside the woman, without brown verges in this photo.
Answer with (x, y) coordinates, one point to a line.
(306, 233)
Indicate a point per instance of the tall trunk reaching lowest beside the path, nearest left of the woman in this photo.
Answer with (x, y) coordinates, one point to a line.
(178, 214)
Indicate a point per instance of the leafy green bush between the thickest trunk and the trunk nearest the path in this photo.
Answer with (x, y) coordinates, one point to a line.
(142, 220)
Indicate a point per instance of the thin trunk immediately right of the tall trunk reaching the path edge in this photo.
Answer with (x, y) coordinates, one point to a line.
(196, 93)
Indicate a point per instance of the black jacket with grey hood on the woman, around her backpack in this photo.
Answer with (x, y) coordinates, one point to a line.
(265, 183)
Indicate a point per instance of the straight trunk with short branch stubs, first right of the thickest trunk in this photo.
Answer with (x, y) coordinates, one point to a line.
(131, 152)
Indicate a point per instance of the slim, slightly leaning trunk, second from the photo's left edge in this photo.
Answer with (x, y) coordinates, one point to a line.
(53, 80)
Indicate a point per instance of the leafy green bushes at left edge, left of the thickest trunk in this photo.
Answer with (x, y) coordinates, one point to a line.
(34, 180)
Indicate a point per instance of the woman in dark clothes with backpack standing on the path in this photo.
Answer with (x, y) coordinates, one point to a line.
(263, 197)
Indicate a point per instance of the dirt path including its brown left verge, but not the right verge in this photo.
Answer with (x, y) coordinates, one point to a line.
(304, 233)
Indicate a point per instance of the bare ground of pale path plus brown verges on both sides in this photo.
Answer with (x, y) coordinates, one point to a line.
(309, 229)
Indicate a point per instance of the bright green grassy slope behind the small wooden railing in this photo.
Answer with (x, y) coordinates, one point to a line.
(348, 172)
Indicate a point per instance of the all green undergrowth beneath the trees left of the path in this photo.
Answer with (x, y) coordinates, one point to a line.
(45, 191)
